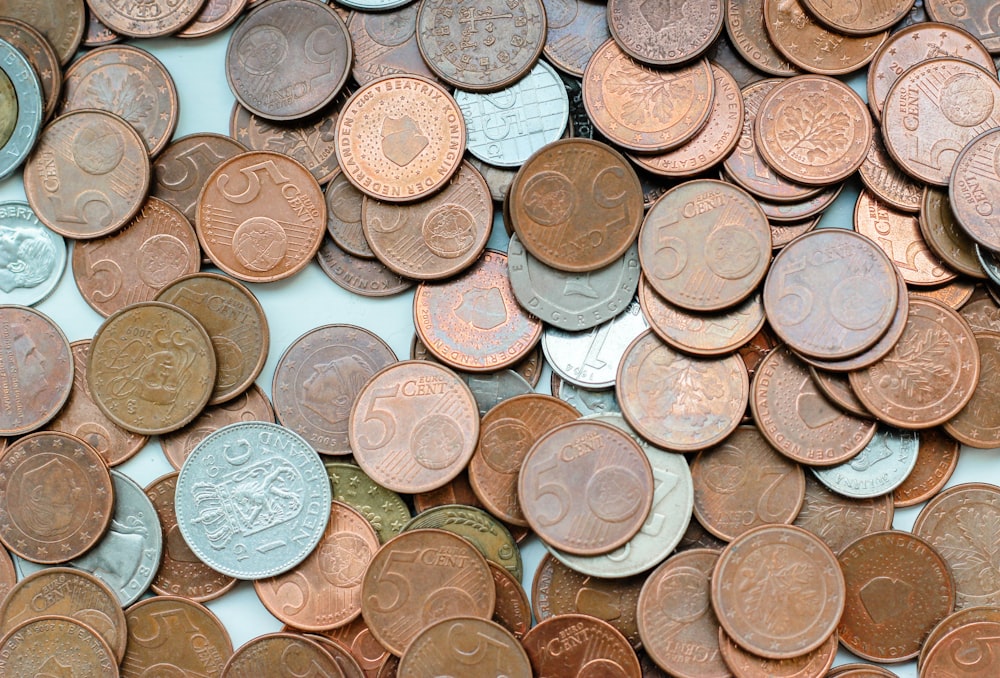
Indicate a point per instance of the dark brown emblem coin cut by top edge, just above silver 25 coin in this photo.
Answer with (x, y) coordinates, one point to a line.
(506, 40)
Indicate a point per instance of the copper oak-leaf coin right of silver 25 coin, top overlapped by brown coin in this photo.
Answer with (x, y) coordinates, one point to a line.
(644, 109)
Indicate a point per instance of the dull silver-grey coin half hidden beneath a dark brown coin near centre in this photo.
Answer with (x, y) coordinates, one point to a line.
(572, 301)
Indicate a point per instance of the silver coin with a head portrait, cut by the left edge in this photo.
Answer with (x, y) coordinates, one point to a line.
(32, 257)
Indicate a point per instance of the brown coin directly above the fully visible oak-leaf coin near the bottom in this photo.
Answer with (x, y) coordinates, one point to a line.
(744, 483)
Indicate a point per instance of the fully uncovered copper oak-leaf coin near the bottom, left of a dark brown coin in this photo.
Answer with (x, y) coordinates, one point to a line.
(778, 591)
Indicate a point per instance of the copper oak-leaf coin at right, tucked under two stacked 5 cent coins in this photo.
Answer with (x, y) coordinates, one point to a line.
(928, 376)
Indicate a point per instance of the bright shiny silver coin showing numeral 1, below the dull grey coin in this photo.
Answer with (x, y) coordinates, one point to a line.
(590, 359)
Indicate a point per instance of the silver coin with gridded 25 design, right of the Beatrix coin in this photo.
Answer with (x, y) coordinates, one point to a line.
(504, 128)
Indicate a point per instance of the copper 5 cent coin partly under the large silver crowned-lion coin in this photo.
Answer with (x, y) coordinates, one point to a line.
(324, 590)
